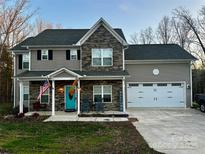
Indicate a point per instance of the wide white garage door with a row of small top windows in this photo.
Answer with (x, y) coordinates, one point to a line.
(155, 94)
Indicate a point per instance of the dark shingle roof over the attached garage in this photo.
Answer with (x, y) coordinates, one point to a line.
(157, 52)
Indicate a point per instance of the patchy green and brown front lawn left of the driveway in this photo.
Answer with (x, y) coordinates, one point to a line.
(23, 136)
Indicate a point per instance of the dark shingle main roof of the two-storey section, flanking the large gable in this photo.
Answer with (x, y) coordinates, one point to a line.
(58, 37)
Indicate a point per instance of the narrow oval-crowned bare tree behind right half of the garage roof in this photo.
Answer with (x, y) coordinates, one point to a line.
(164, 31)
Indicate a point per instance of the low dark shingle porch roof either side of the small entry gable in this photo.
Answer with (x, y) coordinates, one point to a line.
(82, 73)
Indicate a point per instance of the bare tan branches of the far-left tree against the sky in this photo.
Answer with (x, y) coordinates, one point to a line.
(13, 21)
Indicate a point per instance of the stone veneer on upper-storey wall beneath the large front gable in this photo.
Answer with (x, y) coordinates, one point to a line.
(102, 38)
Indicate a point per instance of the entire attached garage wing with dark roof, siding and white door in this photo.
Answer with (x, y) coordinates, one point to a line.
(159, 76)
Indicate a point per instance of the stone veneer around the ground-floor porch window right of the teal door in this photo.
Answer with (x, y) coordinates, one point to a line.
(87, 92)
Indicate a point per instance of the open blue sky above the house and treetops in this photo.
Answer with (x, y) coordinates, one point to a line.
(130, 15)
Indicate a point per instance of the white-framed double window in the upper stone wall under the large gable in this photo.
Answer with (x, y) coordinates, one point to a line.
(102, 57)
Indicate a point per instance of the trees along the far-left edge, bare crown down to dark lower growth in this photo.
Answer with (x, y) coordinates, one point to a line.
(14, 27)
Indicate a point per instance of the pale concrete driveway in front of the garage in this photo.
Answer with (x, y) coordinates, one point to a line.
(172, 131)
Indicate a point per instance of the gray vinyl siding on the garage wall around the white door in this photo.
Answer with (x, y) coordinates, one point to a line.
(168, 72)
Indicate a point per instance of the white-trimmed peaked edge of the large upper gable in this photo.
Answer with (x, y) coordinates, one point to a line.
(100, 22)
